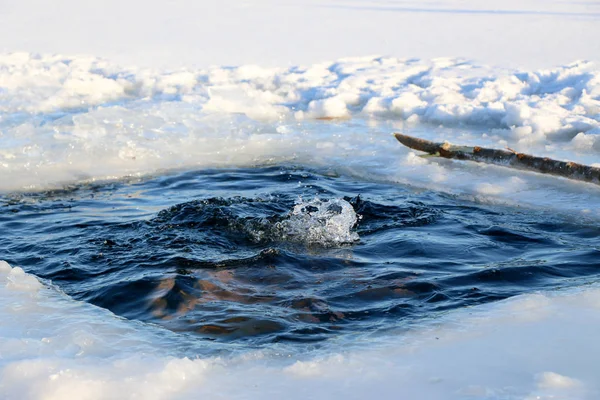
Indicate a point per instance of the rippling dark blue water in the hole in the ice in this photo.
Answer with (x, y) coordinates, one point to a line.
(212, 254)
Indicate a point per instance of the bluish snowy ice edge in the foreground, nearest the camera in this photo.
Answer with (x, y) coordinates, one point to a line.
(538, 346)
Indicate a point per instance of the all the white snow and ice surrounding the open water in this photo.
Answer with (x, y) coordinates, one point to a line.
(103, 90)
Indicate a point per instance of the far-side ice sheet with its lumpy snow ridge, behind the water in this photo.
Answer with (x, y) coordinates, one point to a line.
(71, 119)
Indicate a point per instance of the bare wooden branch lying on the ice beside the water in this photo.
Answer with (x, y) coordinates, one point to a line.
(504, 158)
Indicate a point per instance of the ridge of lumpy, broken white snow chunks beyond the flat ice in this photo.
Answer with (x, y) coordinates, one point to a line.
(534, 105)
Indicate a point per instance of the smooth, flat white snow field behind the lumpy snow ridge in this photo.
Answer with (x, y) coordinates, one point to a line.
(523, 33)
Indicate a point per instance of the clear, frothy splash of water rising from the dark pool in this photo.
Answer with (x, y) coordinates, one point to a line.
(319, 222)
